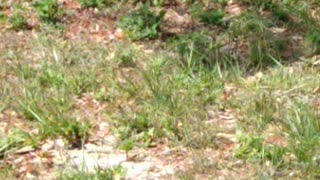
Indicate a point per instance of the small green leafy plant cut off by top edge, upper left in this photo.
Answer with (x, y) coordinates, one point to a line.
(48, 11)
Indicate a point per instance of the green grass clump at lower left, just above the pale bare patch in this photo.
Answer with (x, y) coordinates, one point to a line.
(53, 119)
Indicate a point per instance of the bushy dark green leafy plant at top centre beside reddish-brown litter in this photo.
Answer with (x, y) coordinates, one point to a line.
(142, 23)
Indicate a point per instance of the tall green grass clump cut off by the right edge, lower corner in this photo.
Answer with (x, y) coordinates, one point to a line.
(302, 126)
